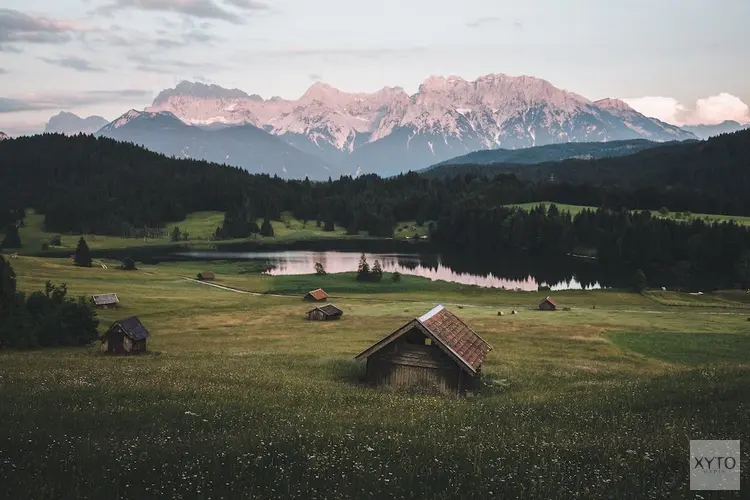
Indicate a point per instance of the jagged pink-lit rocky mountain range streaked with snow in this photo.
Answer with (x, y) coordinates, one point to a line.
(390, 131)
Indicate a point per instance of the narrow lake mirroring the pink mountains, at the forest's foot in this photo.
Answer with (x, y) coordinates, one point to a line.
(427, 266)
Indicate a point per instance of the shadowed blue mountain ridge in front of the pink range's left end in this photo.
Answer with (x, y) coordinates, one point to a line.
(244, 146)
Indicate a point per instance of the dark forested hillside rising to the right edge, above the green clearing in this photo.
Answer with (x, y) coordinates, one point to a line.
(718, 164)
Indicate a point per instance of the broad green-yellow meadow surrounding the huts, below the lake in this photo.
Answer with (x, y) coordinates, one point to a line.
(242, 397)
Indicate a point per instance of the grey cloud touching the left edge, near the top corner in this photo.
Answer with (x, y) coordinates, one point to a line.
(19, 28)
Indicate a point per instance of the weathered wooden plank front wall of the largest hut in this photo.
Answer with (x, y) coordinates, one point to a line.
(405, 363)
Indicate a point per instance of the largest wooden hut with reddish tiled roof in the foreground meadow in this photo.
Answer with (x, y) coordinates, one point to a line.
(436, 351)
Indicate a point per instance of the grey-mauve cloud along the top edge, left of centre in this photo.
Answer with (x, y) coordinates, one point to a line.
(206, 9)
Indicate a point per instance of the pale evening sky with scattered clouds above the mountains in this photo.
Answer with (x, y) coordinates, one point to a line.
(683, 61)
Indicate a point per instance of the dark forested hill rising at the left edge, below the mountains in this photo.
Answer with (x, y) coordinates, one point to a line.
(90, 184)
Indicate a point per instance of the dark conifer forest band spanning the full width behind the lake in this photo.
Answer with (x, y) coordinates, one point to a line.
(95, 185)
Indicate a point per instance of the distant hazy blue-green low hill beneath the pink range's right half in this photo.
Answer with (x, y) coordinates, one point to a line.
(551, 152)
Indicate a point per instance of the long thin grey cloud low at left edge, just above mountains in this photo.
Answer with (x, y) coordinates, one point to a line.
(35, 102)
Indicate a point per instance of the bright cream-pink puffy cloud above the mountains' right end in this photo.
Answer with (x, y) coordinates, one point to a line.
(706, 110)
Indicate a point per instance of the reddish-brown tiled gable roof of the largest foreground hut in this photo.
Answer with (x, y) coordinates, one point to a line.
(451, 334)
